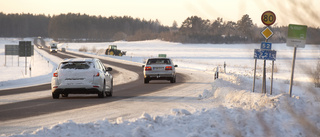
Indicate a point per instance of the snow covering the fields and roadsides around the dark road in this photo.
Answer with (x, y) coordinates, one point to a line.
(203, 107)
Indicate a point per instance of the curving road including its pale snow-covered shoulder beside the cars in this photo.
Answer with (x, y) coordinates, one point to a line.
(29, 111)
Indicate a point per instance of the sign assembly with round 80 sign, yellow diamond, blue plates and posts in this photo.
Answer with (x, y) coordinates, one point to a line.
(265, 53)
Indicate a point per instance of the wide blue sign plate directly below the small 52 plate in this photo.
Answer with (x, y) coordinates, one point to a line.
(265, 54)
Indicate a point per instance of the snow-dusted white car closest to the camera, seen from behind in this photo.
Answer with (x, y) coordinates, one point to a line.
(82, 76)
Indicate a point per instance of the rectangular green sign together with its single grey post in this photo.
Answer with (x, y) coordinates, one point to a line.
(297, 35)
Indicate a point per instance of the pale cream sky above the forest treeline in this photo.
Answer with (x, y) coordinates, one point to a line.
(304, 12)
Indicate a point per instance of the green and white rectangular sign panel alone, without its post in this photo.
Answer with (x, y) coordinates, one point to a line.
(297, 35)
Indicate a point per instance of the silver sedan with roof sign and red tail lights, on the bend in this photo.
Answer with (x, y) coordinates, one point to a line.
(159, 69)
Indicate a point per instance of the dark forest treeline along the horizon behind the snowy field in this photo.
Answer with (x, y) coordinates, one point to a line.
(85, 28)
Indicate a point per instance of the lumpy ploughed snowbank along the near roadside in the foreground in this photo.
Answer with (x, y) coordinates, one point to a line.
(241, 113)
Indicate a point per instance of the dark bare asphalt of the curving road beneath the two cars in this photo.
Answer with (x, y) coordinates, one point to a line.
(47, 105)
